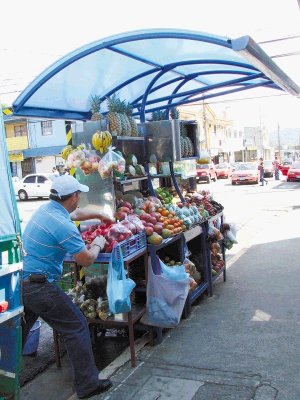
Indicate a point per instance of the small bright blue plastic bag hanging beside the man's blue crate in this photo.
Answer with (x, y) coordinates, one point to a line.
(119, 286)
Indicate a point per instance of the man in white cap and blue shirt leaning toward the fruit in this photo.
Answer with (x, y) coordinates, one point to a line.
(48, 236)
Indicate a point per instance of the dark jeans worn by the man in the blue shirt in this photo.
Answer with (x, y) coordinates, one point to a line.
(48, 301)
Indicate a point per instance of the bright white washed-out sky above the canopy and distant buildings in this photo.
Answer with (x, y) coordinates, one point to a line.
(36, 33)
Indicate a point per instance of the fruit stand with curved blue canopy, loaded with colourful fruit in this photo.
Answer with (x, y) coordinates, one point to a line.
(139, 158)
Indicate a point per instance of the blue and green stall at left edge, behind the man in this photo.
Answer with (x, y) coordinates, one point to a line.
(10, 277)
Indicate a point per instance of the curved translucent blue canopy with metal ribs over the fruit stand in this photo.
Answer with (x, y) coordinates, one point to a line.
(151, 69)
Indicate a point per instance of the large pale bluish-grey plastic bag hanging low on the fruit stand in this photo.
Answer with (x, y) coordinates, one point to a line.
(165, 298)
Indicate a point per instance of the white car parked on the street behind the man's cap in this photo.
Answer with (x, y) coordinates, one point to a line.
(33, 185)
